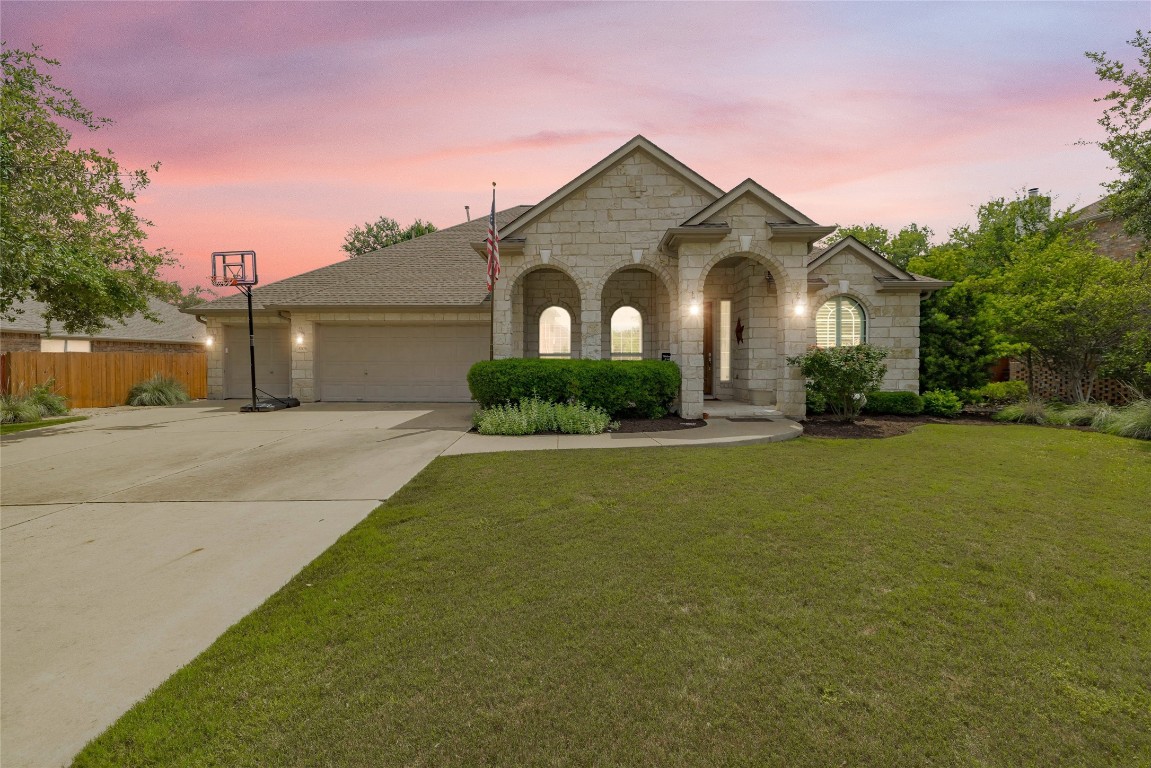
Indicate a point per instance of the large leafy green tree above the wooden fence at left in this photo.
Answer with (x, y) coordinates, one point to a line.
(71, 237)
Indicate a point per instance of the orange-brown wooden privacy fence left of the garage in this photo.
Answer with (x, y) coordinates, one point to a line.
(102, 379)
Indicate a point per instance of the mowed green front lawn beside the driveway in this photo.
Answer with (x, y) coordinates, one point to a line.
(963, 596)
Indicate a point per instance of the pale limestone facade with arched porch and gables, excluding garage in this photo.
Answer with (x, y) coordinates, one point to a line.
(599, 248)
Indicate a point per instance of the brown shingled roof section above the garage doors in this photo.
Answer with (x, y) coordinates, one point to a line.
(435, 270)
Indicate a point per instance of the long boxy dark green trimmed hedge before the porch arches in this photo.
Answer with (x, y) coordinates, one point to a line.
(638, 389)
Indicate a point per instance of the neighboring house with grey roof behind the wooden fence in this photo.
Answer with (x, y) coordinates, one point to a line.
(174, 333)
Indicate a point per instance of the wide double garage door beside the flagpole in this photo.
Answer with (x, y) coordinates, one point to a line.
(398, 363)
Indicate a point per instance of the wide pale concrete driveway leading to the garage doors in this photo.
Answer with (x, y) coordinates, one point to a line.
(131, 542)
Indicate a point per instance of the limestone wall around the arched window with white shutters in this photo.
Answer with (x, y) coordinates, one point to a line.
(891, 317)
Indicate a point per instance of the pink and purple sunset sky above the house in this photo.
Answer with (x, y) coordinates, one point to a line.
(281, 125)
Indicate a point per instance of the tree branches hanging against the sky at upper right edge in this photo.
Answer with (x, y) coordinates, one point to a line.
(1129, 135)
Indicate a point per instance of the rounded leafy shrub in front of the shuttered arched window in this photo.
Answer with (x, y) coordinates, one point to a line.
(843, 376)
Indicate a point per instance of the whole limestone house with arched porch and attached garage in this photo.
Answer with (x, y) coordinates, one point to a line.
(639, 257)
